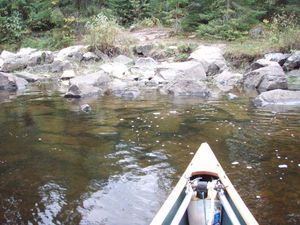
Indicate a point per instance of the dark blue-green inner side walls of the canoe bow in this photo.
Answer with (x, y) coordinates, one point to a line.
(185, 221)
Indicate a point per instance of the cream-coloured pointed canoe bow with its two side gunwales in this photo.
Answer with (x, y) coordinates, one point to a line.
(204, 163)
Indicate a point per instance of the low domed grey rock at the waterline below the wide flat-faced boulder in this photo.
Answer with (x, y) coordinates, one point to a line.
(188, 88)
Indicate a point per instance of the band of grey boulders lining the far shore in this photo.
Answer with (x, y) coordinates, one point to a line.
(80, 72)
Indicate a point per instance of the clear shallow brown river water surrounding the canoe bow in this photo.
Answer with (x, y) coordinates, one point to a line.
(117, 164)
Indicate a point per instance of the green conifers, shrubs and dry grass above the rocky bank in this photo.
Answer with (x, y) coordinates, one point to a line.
(249, 29)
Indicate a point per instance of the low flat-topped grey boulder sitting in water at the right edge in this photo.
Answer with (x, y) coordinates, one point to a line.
(278, 97)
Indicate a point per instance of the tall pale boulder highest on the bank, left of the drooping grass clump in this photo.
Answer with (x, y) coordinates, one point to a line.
(211, 58)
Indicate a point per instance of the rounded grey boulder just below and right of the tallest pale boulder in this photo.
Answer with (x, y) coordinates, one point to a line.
(227, 80)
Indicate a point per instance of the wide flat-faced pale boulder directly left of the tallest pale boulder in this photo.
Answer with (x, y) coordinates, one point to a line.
(189, 70)
